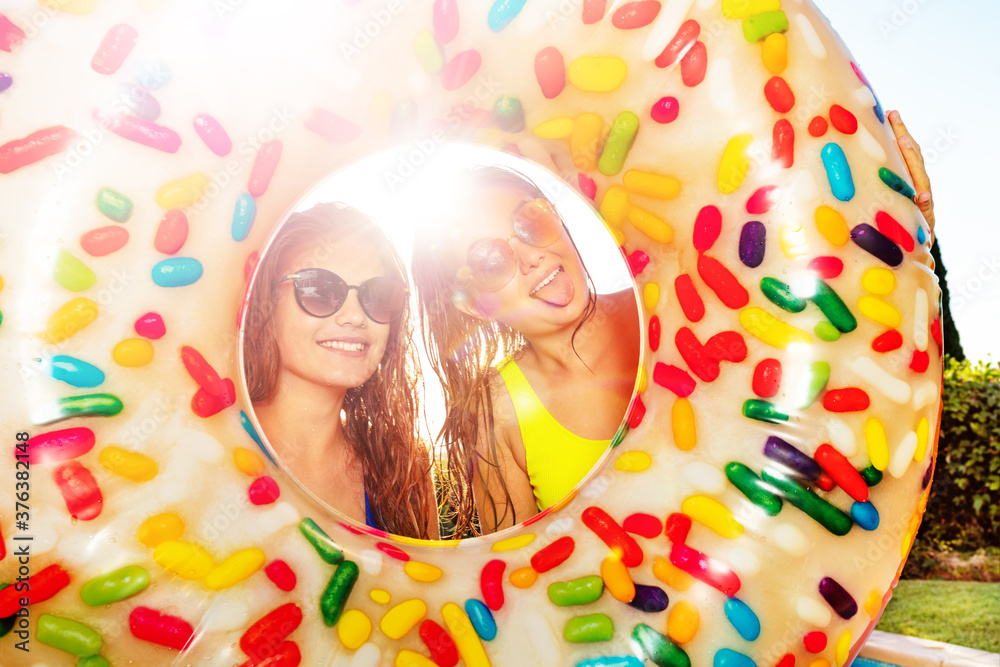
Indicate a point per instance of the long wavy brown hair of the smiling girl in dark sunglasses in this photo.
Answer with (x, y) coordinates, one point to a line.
(380, 416)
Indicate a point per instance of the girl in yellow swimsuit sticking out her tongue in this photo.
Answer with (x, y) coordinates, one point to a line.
(504, 281)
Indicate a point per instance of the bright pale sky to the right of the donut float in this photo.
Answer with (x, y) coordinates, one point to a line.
(938, 63)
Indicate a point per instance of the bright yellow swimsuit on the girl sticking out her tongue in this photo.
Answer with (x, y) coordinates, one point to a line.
(557, 458)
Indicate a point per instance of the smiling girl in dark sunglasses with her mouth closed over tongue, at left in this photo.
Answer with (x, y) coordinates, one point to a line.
(331, 371)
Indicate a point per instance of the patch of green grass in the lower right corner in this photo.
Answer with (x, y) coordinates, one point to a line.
(966, 613)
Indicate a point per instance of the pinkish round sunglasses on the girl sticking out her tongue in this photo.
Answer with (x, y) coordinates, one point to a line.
(491, 263)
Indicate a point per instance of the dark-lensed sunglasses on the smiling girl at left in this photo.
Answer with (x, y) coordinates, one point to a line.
(321, 293)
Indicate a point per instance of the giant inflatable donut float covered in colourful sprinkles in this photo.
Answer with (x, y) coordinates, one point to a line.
(781, 443)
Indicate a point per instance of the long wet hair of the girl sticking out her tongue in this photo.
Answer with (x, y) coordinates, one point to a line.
(462, 350)
